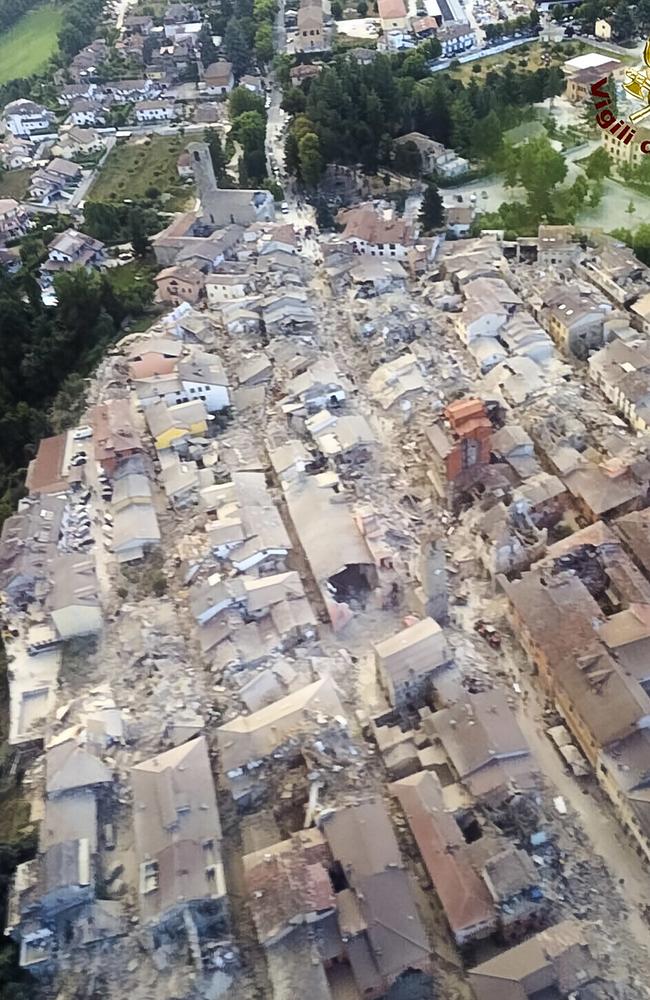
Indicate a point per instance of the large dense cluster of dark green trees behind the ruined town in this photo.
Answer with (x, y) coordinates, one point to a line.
(352, 114)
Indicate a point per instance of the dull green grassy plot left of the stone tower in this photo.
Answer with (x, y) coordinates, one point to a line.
(134, 168)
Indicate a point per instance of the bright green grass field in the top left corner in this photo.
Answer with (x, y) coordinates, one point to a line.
(25, 48)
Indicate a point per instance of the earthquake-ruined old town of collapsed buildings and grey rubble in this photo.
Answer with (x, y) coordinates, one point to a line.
(326, 623)
